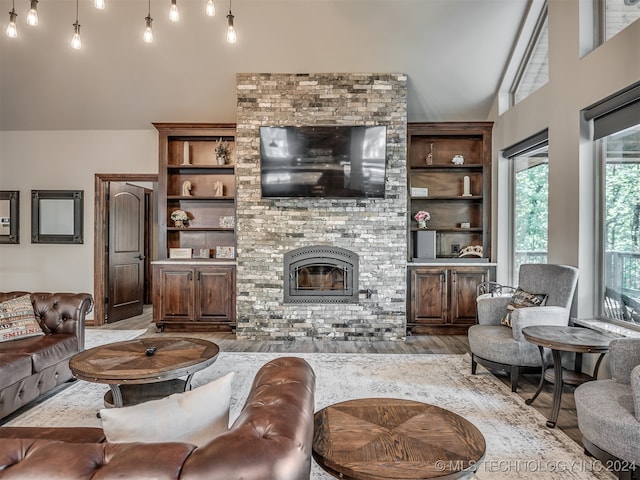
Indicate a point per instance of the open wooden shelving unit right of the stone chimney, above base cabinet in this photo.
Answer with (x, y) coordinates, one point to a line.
(456, 195)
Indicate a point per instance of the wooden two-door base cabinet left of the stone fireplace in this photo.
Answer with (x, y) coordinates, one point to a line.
(198, 297)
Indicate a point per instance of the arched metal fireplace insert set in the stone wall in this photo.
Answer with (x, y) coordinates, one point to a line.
(320, 274)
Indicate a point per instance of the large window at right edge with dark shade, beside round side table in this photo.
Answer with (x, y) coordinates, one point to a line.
(616, 131)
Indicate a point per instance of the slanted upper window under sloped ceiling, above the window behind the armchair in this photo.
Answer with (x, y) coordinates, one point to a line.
(534, 69)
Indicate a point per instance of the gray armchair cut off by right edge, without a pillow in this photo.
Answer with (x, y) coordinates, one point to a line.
(609, 410)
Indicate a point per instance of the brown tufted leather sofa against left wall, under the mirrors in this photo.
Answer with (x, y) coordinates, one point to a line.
(32, 366)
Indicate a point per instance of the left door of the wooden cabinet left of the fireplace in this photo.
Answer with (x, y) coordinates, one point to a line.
(176, 294)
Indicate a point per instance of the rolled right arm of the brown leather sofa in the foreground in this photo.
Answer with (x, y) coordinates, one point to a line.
(273, 435)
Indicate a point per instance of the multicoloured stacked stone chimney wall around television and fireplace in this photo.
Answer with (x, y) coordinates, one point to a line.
(375, 229)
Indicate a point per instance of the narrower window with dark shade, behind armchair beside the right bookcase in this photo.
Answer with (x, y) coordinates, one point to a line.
(530, 201)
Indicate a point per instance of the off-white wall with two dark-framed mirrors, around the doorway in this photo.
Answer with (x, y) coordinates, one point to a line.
(63, 160)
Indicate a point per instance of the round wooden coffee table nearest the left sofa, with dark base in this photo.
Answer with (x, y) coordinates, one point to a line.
(144, 369)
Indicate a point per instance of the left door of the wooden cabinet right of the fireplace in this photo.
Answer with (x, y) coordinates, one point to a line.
(429, 295)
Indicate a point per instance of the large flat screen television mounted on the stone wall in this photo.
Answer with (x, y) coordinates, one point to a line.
(323, 161)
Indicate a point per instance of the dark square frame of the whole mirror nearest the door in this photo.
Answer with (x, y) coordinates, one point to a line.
(78, 215)
